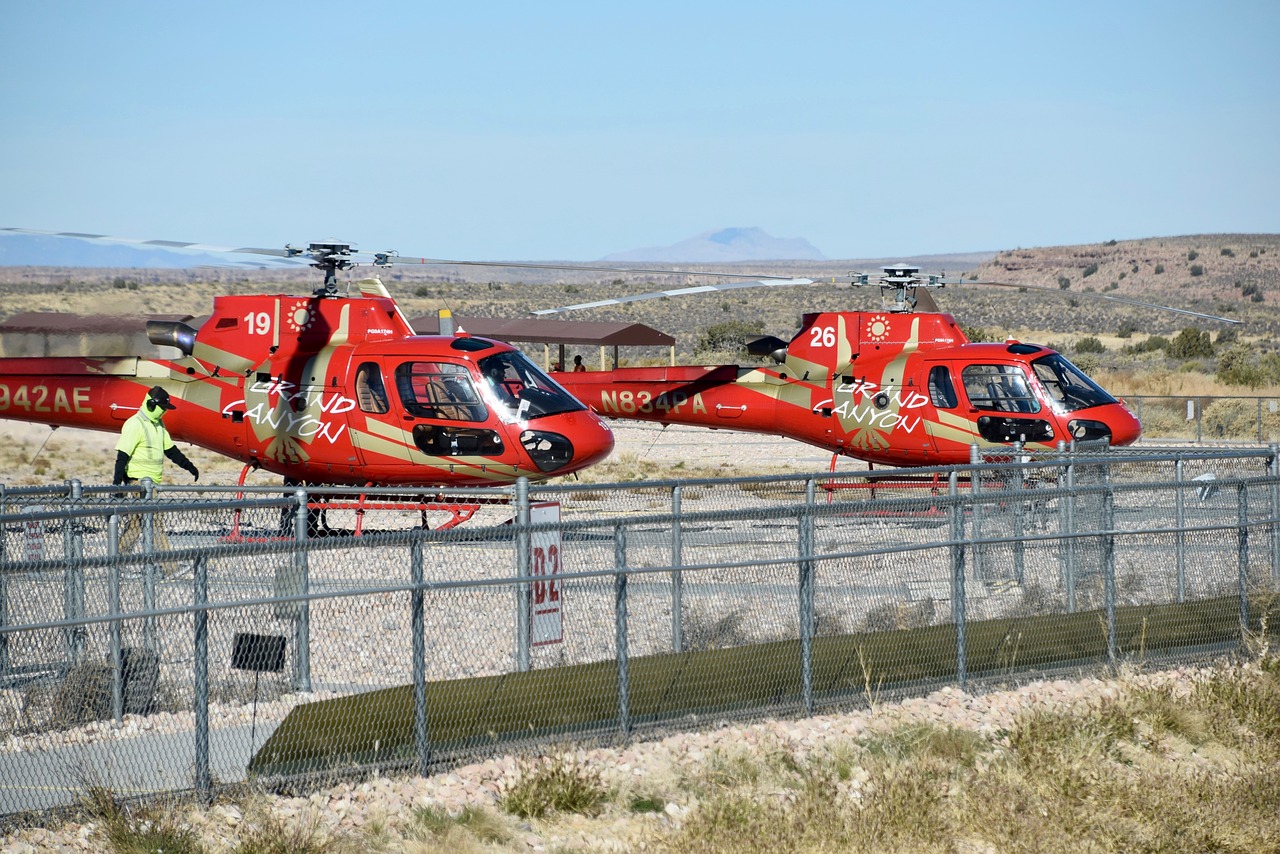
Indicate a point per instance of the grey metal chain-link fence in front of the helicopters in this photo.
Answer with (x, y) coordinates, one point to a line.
(159, 641)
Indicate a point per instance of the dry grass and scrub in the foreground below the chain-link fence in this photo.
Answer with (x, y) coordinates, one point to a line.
(1187, 765)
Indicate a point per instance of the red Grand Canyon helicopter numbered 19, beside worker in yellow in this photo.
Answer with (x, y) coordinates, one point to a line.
(330, 389)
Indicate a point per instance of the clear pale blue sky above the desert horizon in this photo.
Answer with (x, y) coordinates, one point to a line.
(570, 131)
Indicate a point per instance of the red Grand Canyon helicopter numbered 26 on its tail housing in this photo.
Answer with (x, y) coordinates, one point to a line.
(902, 386)
